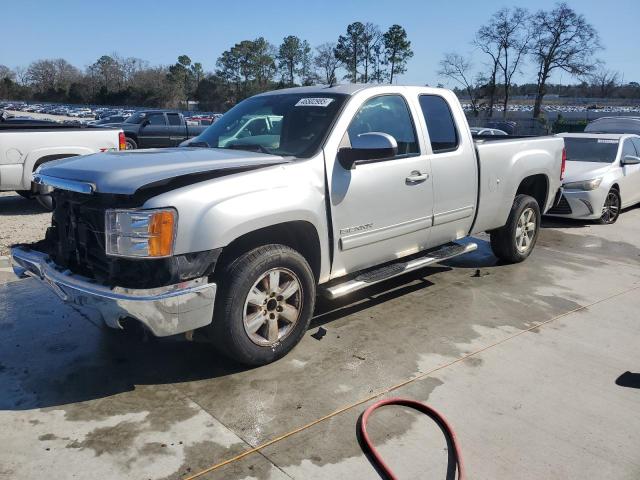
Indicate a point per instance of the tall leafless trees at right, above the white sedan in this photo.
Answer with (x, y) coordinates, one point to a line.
(552, 41)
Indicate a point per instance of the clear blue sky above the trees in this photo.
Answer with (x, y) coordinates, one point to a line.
(159, 31)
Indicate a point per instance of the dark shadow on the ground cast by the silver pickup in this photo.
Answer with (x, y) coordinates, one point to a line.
(84, 363)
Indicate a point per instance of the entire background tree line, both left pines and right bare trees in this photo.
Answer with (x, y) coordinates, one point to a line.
(548, 41)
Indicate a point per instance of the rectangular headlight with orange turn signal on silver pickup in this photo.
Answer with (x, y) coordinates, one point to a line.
(140, 233)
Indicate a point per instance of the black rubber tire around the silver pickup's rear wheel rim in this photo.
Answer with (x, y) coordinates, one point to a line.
(504, 241)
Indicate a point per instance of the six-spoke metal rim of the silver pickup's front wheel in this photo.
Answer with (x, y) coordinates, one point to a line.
(273, 307)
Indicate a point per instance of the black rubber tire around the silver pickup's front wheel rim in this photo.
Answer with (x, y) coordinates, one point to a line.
(227, 331)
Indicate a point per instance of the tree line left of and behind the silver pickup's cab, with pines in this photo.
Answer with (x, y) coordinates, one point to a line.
(364, 53)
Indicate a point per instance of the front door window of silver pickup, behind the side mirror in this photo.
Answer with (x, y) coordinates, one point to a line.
(387, 114)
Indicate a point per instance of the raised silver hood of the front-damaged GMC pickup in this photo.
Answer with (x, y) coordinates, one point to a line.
(127, 172)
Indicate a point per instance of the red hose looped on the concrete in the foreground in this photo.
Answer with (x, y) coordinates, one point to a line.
(421, 407)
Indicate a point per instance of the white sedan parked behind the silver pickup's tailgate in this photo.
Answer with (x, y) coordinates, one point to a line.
(602, 176)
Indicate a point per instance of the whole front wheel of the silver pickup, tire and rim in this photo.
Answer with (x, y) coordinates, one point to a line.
(264, 306)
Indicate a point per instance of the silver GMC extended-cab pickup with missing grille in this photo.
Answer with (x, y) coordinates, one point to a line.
(344, 187)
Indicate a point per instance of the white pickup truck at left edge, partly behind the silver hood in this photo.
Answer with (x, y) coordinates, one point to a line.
(26, 146)
